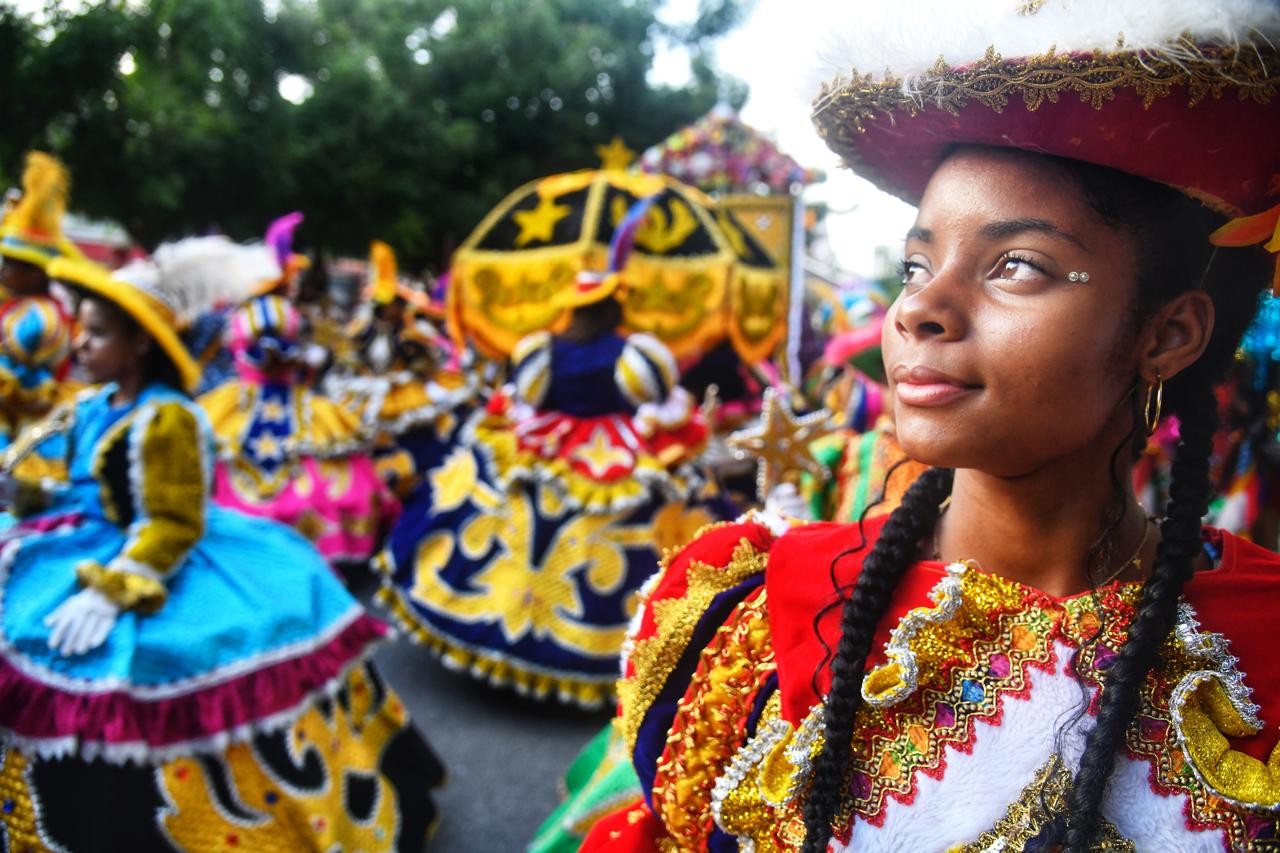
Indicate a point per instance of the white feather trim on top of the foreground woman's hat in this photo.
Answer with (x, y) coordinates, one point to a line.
(903, 39)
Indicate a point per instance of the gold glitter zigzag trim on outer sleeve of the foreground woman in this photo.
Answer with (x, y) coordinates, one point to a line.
(656, 658)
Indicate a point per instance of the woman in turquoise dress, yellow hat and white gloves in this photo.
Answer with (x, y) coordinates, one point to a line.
(179, 676)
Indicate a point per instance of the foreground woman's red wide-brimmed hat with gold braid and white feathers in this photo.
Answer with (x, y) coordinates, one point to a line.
(1186, 93)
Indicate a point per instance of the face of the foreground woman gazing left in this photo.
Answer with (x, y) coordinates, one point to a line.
(998, 362)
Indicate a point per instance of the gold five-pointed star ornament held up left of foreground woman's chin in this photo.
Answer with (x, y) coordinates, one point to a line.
(783, 443)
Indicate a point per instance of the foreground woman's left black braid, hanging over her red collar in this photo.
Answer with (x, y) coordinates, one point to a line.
(895, 550)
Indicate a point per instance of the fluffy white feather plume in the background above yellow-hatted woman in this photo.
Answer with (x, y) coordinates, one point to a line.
(202, 273)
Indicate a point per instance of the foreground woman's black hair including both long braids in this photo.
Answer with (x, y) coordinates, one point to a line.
(1174, 257)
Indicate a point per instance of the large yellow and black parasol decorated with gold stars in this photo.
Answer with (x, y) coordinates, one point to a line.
(508, 275)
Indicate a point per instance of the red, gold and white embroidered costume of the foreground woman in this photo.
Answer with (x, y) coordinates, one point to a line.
(975, 719)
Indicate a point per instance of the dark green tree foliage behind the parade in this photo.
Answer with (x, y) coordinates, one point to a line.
(409, 118)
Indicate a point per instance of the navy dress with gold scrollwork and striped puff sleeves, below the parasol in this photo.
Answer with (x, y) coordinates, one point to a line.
(522, 554)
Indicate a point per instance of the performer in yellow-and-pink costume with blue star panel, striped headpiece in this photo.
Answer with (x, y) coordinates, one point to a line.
(290, 454)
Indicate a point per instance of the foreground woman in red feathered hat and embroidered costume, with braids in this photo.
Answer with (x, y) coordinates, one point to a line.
(1018, 658)
